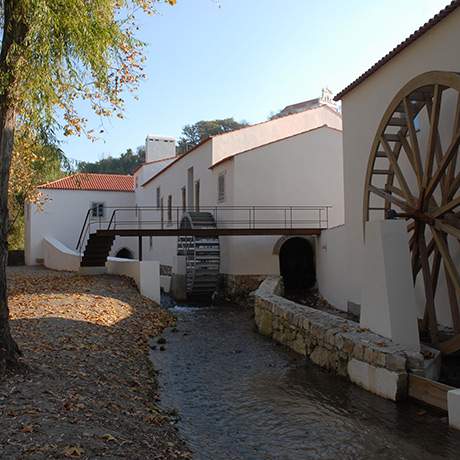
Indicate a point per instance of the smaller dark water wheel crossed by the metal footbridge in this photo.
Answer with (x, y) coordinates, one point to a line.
(202, 256)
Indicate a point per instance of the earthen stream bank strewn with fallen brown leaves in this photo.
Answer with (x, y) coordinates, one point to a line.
(88, 389)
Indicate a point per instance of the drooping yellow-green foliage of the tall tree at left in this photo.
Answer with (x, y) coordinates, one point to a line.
(55, 55)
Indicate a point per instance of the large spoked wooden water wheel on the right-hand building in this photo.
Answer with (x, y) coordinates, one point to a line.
(413, 174)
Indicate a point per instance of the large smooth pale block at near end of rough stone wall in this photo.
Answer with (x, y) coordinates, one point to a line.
(377, 380)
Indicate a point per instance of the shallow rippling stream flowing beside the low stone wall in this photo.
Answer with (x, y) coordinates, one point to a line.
(241, 396)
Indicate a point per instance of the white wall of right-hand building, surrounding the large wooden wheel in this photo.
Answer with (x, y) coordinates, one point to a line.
(362, 111)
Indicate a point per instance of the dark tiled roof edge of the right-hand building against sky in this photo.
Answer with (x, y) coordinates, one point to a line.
(417, 34)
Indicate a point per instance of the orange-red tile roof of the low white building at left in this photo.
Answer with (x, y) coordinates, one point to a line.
(97, 182)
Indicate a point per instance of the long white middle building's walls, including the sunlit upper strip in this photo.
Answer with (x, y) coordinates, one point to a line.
(290, 161)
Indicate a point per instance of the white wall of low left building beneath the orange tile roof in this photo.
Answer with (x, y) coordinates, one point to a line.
(62, 218)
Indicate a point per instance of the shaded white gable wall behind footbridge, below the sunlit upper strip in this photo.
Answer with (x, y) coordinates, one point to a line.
(303, 170)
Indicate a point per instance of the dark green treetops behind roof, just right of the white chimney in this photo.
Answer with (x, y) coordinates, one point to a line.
(192, 135)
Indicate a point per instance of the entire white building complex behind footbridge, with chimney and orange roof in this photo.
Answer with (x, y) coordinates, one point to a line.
(293, 160)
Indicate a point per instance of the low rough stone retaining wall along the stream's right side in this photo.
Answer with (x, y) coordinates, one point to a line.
(339, 345)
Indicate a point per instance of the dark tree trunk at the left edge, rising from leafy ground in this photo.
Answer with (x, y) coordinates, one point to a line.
(14, 33)
